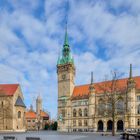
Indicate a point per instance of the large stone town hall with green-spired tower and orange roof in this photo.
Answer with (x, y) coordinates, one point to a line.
(83, 107)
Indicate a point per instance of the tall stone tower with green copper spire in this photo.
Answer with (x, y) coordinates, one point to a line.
(65, 74)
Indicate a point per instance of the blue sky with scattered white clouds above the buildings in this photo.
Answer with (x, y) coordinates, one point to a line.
(103, 34)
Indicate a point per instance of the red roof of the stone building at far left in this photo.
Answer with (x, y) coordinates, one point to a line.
(8, 89)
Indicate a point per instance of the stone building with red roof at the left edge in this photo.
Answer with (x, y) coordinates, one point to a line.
(12, 110)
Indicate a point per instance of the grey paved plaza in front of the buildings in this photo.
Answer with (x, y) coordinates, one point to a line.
(46, 135)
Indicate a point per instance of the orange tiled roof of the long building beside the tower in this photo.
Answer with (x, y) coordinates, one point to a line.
(82, 91)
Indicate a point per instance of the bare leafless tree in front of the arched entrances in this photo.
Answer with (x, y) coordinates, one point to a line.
(113, 102)
